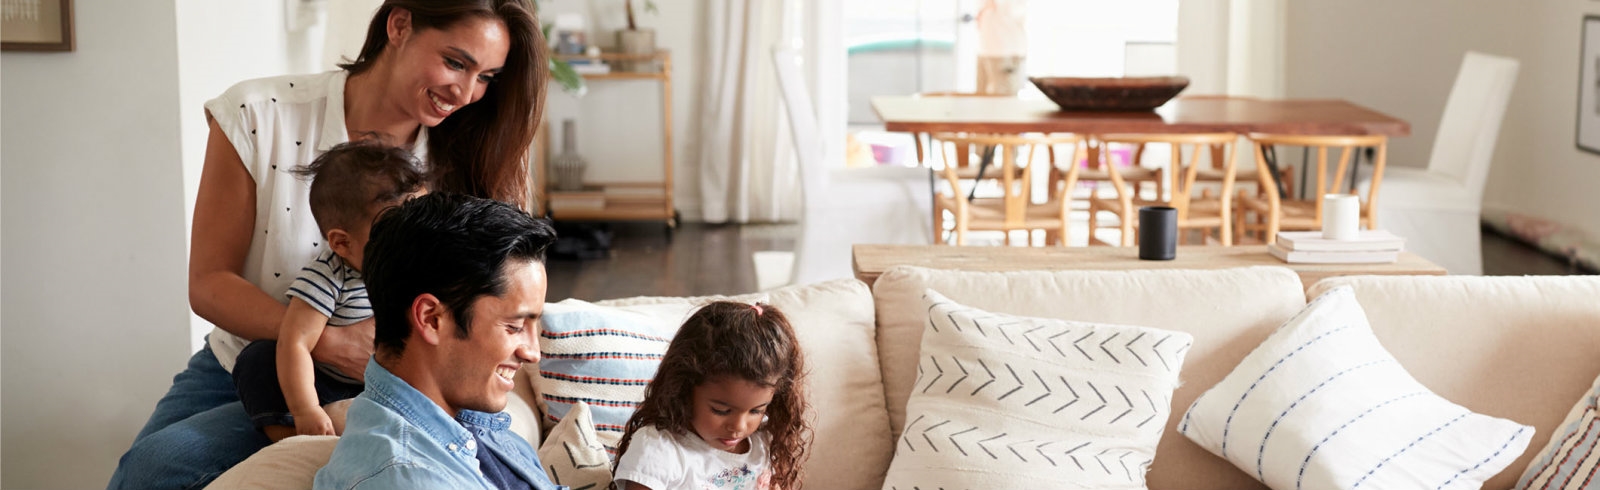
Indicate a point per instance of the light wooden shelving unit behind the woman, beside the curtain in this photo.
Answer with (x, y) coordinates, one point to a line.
(623, 201)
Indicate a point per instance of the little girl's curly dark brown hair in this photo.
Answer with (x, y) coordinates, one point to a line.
(750, 342)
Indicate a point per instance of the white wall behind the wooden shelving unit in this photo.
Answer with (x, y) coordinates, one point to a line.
(620, 121)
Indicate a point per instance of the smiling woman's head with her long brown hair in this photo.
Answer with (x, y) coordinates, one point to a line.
(438, 57)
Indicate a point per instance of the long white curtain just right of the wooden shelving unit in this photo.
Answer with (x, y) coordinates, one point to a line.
(748, 166)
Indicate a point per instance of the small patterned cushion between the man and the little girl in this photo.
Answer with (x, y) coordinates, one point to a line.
(574, 454)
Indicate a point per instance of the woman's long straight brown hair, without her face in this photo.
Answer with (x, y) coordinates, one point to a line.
(484, 148)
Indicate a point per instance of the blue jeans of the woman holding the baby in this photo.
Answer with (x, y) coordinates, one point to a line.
(199, 432)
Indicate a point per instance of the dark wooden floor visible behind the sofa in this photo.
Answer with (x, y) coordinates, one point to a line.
(716, 260)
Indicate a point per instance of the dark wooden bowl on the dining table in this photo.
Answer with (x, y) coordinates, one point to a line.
(1122, 94)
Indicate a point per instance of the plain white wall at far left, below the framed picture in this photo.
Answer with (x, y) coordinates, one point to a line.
(94, 238)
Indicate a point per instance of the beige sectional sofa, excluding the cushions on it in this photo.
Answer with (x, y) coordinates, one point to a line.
(1518, 348)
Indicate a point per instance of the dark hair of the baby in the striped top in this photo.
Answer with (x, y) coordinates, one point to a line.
(353, 182)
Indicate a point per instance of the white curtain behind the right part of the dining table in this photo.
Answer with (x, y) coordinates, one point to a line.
(1233, 47)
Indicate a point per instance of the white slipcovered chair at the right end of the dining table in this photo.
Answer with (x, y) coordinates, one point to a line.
(1438, 209)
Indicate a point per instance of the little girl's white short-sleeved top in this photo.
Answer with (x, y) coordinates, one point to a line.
(671, 462)
